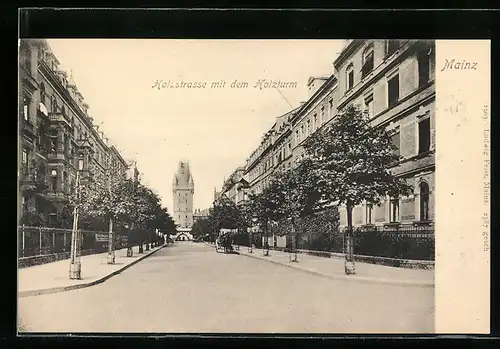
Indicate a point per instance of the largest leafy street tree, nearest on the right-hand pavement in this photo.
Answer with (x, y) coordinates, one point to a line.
(352, 162)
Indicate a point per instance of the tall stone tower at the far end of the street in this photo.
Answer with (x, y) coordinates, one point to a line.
(183, 191)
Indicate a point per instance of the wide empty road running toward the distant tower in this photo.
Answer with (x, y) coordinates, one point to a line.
(190, 288)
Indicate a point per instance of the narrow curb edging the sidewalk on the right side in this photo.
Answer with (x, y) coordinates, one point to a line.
(360, 279)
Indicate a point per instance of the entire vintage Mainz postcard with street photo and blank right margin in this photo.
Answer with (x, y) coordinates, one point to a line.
(254, 186)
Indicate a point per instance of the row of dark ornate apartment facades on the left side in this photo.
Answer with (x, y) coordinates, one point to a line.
(57, 136)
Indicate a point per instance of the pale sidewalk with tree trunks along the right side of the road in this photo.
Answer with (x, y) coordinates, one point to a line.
(334, 268)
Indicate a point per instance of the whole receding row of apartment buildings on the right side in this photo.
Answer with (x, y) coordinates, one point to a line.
(393, 82)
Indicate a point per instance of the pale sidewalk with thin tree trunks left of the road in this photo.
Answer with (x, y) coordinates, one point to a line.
(54, 277)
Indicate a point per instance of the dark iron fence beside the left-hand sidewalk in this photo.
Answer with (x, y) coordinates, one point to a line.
(42, 241)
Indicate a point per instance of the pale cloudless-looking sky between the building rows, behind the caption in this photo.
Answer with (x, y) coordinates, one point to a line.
(215, 129)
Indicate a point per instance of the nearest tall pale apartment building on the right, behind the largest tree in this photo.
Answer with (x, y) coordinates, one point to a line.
(394, 82)
